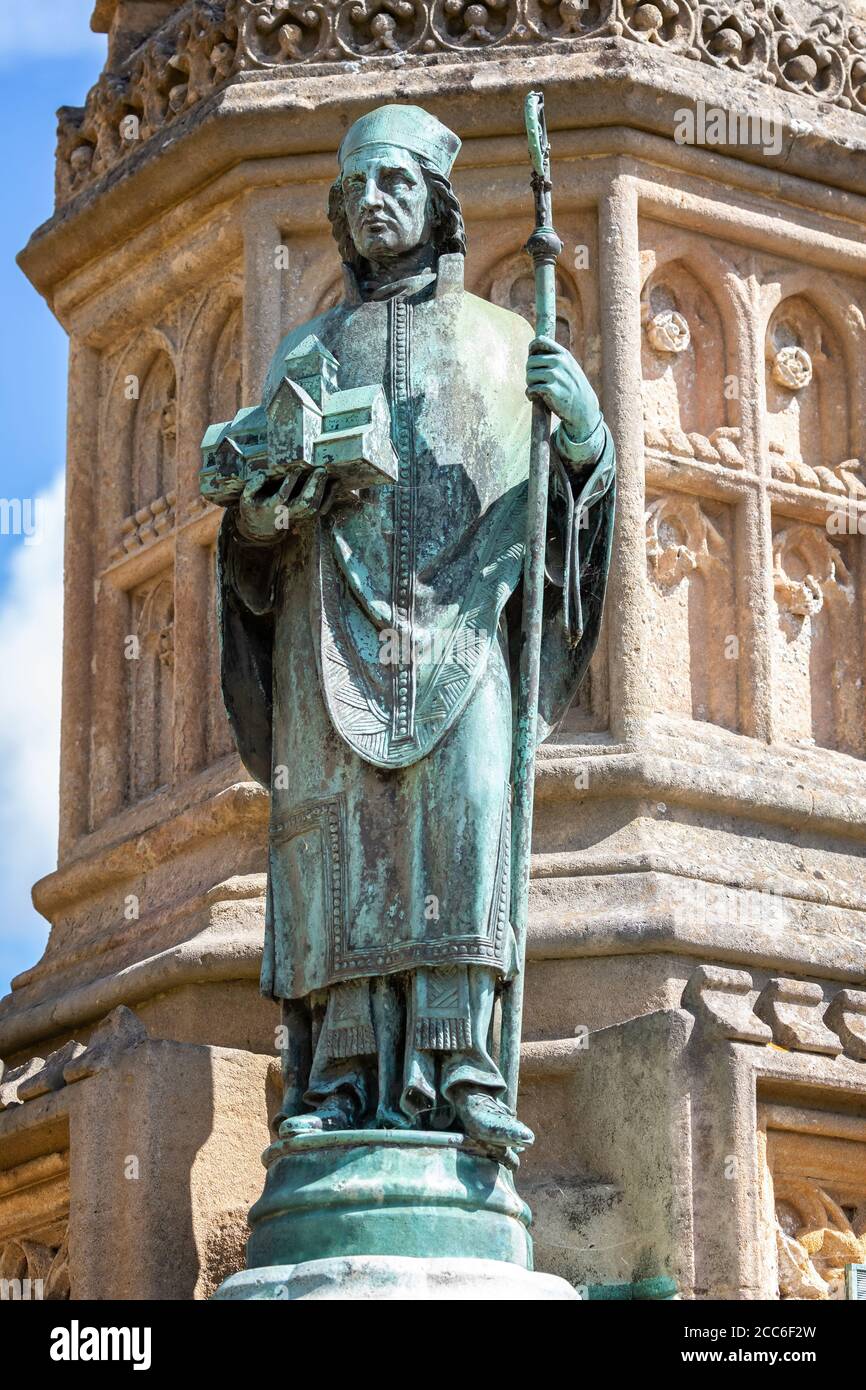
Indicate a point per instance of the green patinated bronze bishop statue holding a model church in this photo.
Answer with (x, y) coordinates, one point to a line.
(370, 578)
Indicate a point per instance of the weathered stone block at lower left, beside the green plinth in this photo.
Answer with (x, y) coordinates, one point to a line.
(129, 1171)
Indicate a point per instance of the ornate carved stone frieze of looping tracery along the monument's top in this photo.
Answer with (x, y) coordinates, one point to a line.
(810, 48)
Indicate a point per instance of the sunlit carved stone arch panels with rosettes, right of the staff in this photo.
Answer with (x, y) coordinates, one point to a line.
(701, 304)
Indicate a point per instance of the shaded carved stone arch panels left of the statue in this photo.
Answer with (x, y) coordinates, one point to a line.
(161, 391)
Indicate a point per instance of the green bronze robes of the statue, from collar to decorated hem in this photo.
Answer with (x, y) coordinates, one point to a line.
(369, 658)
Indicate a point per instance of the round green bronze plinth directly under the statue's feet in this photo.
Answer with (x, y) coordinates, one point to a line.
(393, 1193)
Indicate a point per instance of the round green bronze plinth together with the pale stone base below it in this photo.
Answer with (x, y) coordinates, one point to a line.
(389, 1214)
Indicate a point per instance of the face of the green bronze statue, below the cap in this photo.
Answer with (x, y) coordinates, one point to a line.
(387, 202)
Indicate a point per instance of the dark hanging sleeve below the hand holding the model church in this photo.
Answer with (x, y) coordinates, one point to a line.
(247, 578)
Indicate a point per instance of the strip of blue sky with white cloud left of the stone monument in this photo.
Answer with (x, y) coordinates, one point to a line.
(48, 59)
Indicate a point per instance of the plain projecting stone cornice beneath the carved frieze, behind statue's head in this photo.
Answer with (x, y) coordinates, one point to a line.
(259, 120)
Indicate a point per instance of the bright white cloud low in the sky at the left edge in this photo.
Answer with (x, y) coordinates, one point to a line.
(31, 635)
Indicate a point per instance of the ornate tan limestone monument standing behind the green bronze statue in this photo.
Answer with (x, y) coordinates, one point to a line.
(701, 819)
